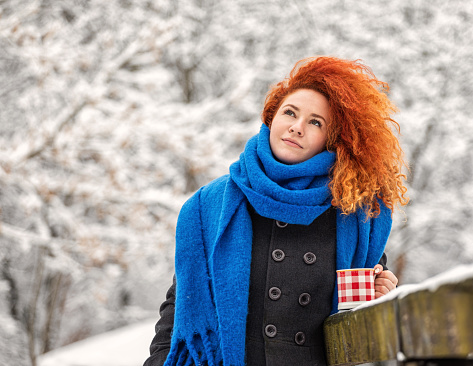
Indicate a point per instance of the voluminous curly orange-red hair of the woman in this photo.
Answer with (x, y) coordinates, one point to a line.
(369, 158)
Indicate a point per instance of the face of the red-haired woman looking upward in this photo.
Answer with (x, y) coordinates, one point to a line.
(299, 127)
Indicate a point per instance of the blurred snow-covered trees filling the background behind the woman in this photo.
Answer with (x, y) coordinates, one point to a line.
(114, 112)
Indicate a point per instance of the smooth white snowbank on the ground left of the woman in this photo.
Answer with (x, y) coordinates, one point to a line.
(127, 346)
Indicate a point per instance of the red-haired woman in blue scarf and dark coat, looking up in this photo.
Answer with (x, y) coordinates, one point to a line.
(257, 250)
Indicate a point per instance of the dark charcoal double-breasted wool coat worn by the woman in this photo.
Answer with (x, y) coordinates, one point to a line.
(292, 279)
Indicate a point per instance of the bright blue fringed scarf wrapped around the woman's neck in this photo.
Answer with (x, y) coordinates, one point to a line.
(214, 238)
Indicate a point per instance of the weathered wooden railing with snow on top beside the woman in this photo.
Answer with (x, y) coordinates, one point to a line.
(427, 324)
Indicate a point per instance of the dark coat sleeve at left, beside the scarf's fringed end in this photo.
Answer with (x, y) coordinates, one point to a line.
(161, 342)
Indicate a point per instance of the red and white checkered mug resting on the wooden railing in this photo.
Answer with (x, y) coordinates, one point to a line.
(355, 286)
